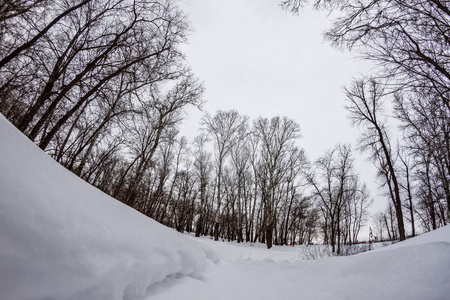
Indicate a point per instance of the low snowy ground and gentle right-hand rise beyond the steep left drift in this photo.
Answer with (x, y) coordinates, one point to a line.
(416, 269)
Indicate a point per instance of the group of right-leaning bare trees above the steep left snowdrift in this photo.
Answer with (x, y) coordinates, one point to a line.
(96, 84)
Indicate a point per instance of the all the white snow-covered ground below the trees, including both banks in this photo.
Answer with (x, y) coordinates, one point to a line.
(63, 239)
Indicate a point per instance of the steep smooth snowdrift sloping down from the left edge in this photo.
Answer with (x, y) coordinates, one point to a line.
(61, 238)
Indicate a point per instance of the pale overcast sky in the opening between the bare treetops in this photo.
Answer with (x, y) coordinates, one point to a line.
(262, 61)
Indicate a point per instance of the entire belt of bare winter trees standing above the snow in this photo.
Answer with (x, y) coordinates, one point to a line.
(102, 87)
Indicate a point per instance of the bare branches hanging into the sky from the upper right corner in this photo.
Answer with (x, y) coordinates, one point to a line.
(408, 39)
